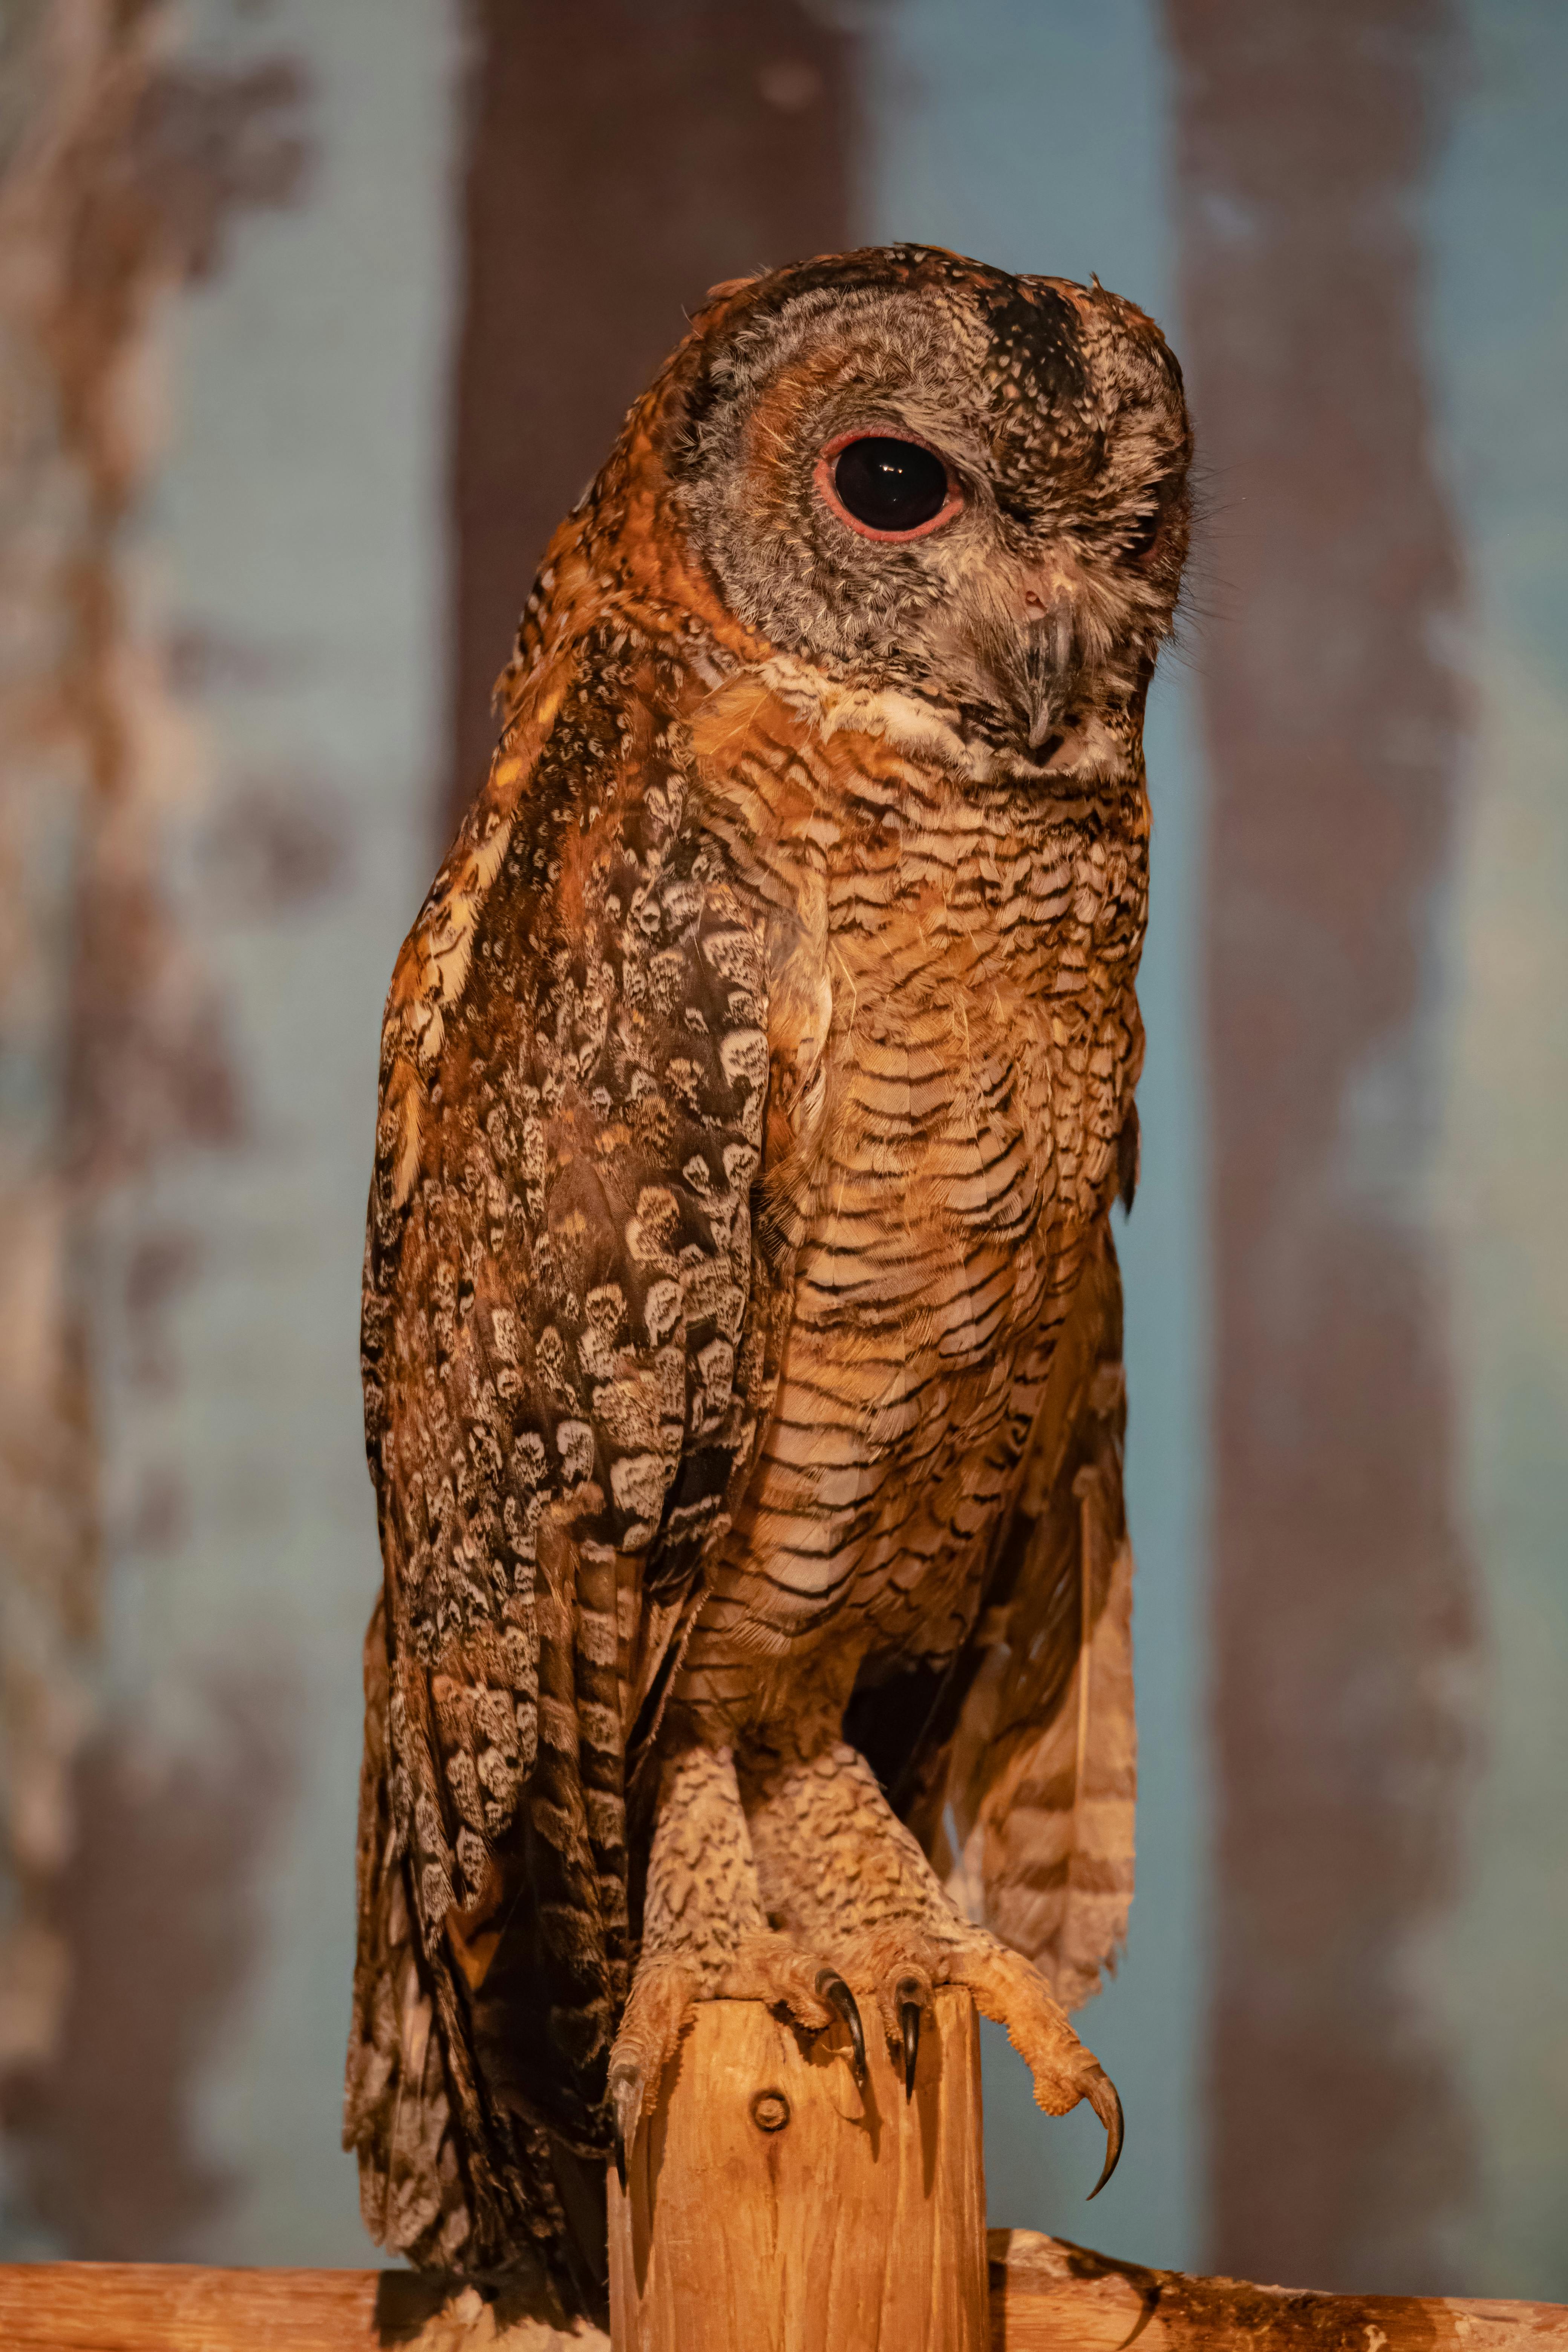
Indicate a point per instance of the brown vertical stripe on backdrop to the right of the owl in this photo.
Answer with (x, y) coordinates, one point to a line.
(1341, 1589)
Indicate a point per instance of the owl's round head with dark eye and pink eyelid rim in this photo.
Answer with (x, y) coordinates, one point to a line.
(913, 472)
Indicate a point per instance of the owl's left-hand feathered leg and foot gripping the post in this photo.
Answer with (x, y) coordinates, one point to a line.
(706, 1939)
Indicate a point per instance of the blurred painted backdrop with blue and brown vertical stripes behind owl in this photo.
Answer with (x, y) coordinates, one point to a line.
(314, 319)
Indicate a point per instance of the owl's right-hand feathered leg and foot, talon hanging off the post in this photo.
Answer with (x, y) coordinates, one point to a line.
(840, 1873)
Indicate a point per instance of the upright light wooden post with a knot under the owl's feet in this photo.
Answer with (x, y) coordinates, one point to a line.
(775, 2207)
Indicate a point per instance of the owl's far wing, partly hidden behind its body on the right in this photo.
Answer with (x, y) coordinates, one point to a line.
(1024, 1775)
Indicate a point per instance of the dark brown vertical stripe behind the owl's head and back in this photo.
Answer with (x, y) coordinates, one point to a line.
(624, 156)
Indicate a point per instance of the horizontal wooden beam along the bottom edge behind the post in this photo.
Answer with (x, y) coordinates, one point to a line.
(1047, 2297)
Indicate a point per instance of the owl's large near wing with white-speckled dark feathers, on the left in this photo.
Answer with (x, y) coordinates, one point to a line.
(565, 1363)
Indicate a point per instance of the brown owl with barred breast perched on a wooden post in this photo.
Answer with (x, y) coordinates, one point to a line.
(742, 1321)
